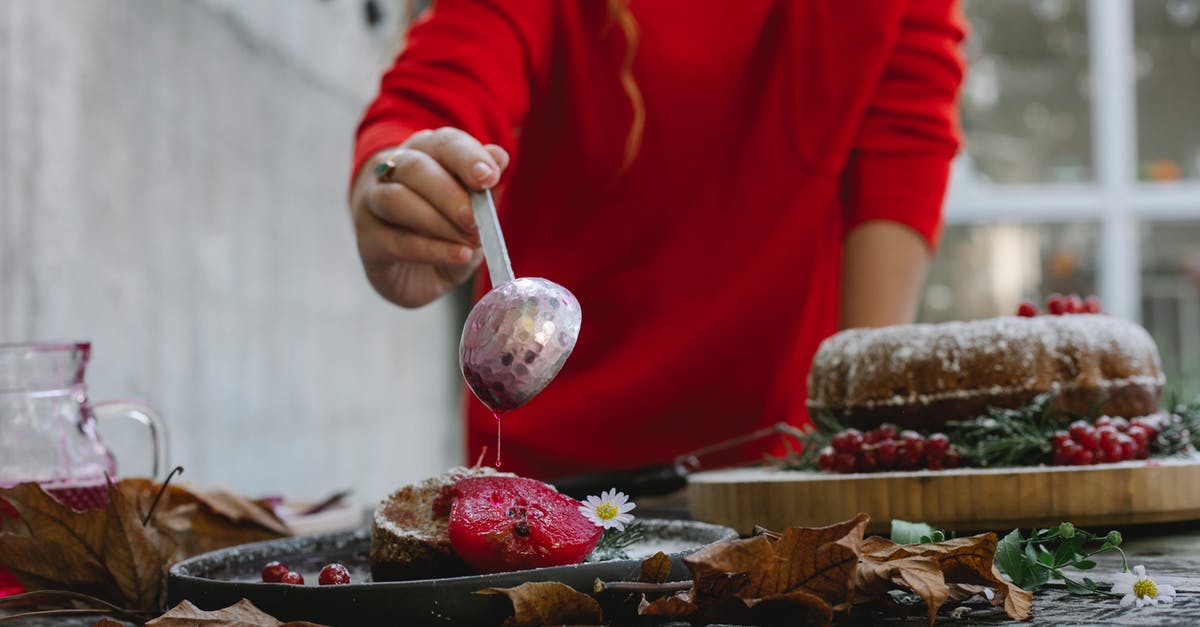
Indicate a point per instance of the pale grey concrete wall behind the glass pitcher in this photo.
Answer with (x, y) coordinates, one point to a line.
(172, 188)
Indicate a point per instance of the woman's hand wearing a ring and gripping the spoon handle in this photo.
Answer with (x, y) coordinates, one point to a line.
(416, 229)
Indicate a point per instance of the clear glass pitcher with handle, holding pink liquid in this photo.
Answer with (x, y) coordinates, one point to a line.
(49, 426)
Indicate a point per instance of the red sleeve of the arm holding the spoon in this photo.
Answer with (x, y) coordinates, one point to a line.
(469, 64)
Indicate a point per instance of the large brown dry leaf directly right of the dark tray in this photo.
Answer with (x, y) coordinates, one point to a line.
(800, 575)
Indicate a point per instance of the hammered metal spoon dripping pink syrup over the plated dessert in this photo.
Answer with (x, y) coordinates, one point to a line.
(520, 335)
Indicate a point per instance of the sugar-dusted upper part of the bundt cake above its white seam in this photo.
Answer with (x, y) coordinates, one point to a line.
(925, 363)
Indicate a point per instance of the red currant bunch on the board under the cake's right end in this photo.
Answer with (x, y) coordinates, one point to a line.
(1105, 441)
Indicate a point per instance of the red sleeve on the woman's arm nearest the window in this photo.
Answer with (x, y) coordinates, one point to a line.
(902, 158)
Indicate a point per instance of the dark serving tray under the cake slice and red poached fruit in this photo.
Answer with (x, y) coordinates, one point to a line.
(221, 578)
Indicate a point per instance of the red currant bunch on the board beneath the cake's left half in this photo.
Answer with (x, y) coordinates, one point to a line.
(887, 449)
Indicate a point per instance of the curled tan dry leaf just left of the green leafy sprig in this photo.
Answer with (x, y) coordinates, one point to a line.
(938, 572)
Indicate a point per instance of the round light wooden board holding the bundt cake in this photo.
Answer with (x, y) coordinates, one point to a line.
(959, 500)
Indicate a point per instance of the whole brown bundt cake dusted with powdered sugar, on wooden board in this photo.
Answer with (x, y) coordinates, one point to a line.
(919, 377)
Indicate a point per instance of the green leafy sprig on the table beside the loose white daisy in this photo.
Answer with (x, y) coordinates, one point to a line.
(1035, 562)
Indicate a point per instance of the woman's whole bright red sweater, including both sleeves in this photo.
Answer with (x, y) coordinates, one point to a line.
(709, 271)
